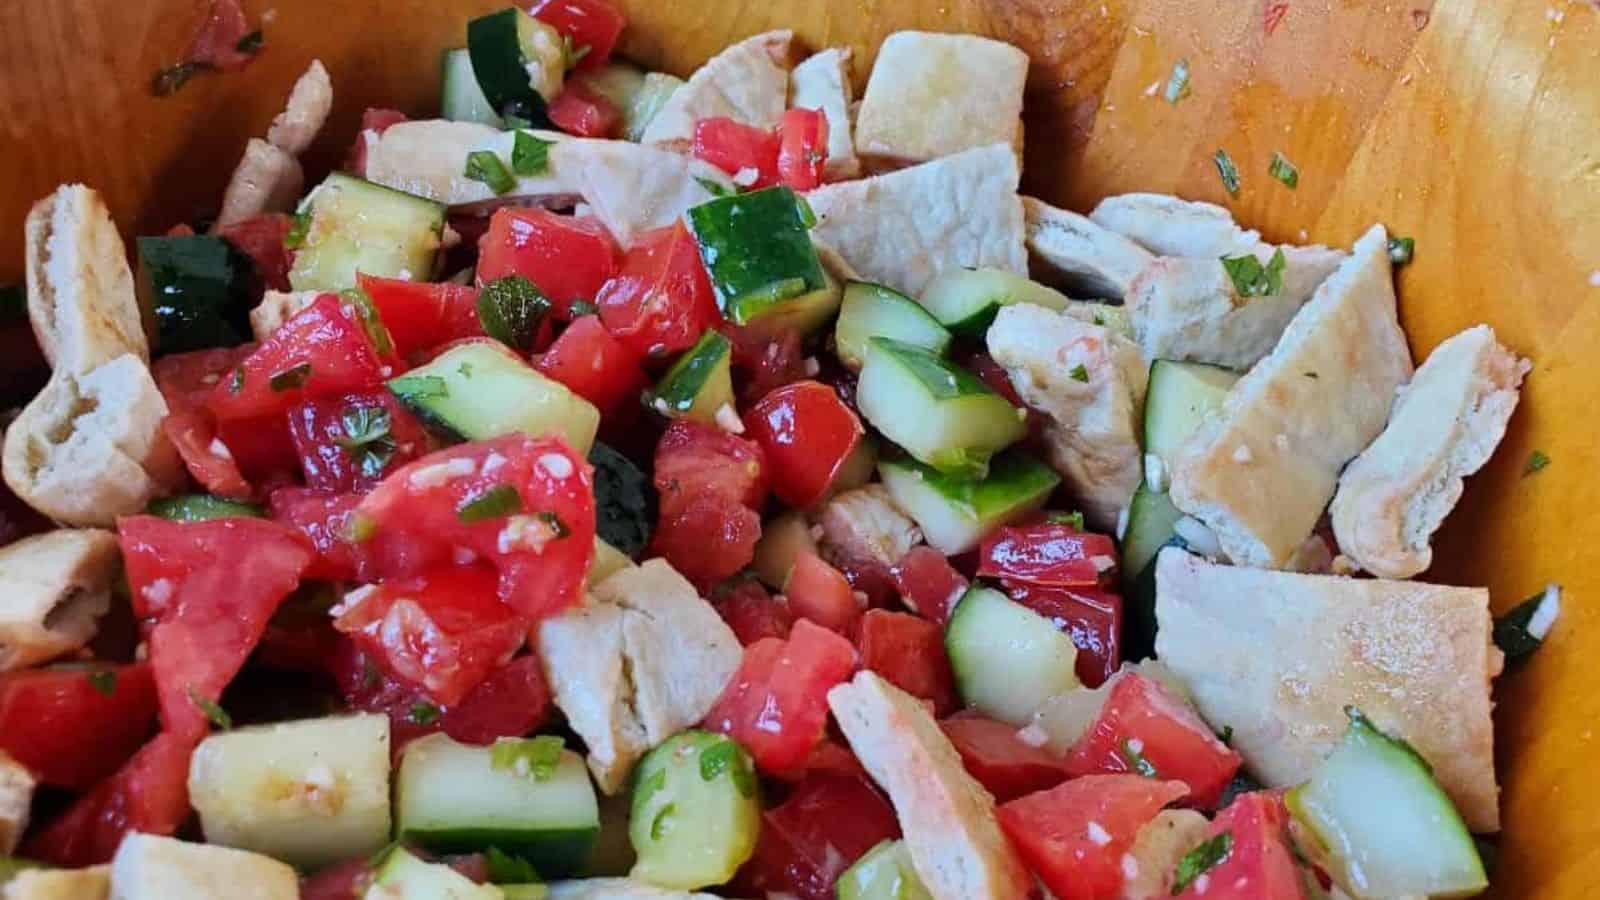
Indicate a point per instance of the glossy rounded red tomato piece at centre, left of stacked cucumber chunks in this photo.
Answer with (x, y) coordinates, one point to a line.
(809, 435)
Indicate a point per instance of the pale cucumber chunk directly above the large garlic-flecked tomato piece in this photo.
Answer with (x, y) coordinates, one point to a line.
(479, 390)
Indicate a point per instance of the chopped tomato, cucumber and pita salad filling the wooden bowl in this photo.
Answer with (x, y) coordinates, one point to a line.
(636, 488)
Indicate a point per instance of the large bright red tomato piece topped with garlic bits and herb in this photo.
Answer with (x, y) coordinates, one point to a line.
(524, 505)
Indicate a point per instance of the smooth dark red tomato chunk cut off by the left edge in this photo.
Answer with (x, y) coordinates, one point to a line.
(66, 731)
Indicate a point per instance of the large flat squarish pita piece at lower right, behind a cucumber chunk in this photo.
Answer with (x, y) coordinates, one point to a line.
(1279, 656)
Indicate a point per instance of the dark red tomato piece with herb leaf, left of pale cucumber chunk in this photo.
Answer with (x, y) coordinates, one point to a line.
(319, 433)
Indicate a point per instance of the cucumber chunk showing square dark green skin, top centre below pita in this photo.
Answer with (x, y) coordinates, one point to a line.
(758, 251)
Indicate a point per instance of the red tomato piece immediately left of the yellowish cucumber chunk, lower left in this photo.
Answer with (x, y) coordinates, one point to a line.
(150, 795)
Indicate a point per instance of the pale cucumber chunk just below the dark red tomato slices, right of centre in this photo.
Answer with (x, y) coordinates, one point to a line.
(1007, 659)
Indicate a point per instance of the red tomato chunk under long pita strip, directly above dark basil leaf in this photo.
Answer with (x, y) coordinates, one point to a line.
(567, 259)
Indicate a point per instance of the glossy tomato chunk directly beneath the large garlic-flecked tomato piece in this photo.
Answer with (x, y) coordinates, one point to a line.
(444, 630)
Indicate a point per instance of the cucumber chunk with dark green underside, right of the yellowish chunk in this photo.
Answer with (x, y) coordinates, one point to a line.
(454, 798)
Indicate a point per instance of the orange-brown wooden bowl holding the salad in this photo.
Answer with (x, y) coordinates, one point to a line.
(1473, 126)
